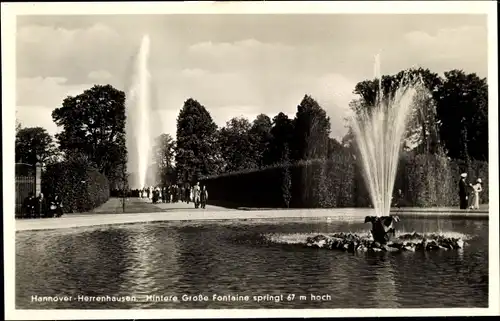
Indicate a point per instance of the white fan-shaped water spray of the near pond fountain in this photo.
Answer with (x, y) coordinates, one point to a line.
(379, 132)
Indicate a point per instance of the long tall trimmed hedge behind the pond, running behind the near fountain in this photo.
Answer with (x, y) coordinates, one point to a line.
(425, 181)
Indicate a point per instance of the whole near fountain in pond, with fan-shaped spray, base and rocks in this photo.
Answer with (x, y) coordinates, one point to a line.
(379, 132)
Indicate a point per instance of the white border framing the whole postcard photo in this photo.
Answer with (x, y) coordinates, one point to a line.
(11, 10)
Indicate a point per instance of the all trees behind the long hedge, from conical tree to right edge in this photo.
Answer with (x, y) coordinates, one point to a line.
(451, 118)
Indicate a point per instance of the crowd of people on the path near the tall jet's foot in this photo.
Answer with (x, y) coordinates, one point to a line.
(175, 193)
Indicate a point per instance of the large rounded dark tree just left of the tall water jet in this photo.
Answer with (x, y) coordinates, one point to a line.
(94, 125)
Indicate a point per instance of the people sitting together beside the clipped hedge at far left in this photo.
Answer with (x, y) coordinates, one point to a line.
(40, 206)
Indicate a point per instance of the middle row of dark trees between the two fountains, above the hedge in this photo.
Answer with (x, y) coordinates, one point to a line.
(203, 150)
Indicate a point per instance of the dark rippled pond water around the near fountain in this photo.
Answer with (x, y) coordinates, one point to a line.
(151, 265)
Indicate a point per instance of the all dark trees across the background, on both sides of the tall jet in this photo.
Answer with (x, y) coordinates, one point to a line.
(453, 119)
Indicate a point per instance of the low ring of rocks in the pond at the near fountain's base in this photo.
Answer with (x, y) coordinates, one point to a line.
(350, 242)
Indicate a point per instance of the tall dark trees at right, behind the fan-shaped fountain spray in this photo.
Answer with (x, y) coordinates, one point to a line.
(450, 113)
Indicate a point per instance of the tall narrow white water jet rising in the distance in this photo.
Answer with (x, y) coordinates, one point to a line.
(138, 110)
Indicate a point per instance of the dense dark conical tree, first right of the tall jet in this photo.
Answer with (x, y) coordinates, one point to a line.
(197, 151)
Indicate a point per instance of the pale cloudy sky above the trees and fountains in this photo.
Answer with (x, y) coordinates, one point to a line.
(235, 65)
